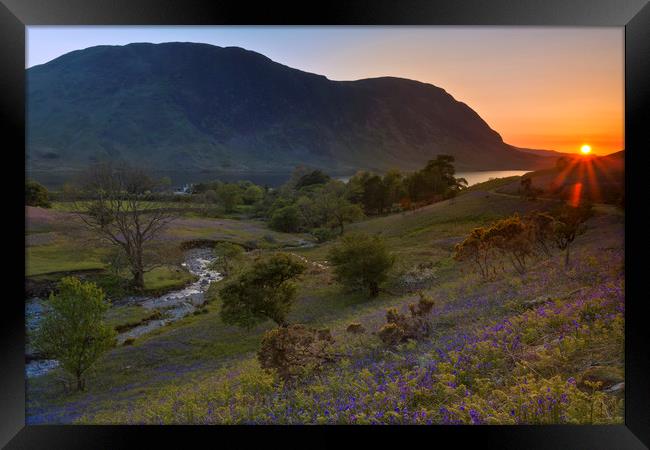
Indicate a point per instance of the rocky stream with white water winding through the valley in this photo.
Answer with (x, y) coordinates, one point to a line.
(174, 306)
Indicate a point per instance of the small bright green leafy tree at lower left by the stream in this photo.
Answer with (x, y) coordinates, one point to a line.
(73, 331)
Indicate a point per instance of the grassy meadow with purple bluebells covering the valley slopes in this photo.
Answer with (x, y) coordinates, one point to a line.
(541, 347)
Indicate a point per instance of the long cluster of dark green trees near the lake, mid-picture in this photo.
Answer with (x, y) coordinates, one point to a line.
(313, 202)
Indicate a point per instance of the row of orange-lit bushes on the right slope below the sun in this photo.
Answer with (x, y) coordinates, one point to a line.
(520, 238)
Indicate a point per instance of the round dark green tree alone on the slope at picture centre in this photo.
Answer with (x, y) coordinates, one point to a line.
(362, 261)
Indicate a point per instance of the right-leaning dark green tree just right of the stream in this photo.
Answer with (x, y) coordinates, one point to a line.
(265, 291)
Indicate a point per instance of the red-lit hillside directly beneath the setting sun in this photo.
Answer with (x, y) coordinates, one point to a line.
(598, 178)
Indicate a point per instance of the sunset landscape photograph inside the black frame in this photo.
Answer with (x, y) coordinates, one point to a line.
(324, 225)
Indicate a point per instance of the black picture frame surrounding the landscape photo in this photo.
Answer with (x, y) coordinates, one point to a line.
(634, 15)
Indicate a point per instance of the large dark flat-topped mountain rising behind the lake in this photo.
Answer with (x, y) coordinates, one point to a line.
(188, 106)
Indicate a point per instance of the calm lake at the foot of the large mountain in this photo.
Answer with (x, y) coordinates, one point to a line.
(54, 180)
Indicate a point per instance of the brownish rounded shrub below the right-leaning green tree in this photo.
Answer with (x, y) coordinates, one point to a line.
(295, 350)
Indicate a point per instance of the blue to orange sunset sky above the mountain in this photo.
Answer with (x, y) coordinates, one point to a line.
(540, 87)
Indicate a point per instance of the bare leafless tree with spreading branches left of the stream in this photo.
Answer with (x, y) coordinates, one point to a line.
(116, 206)
